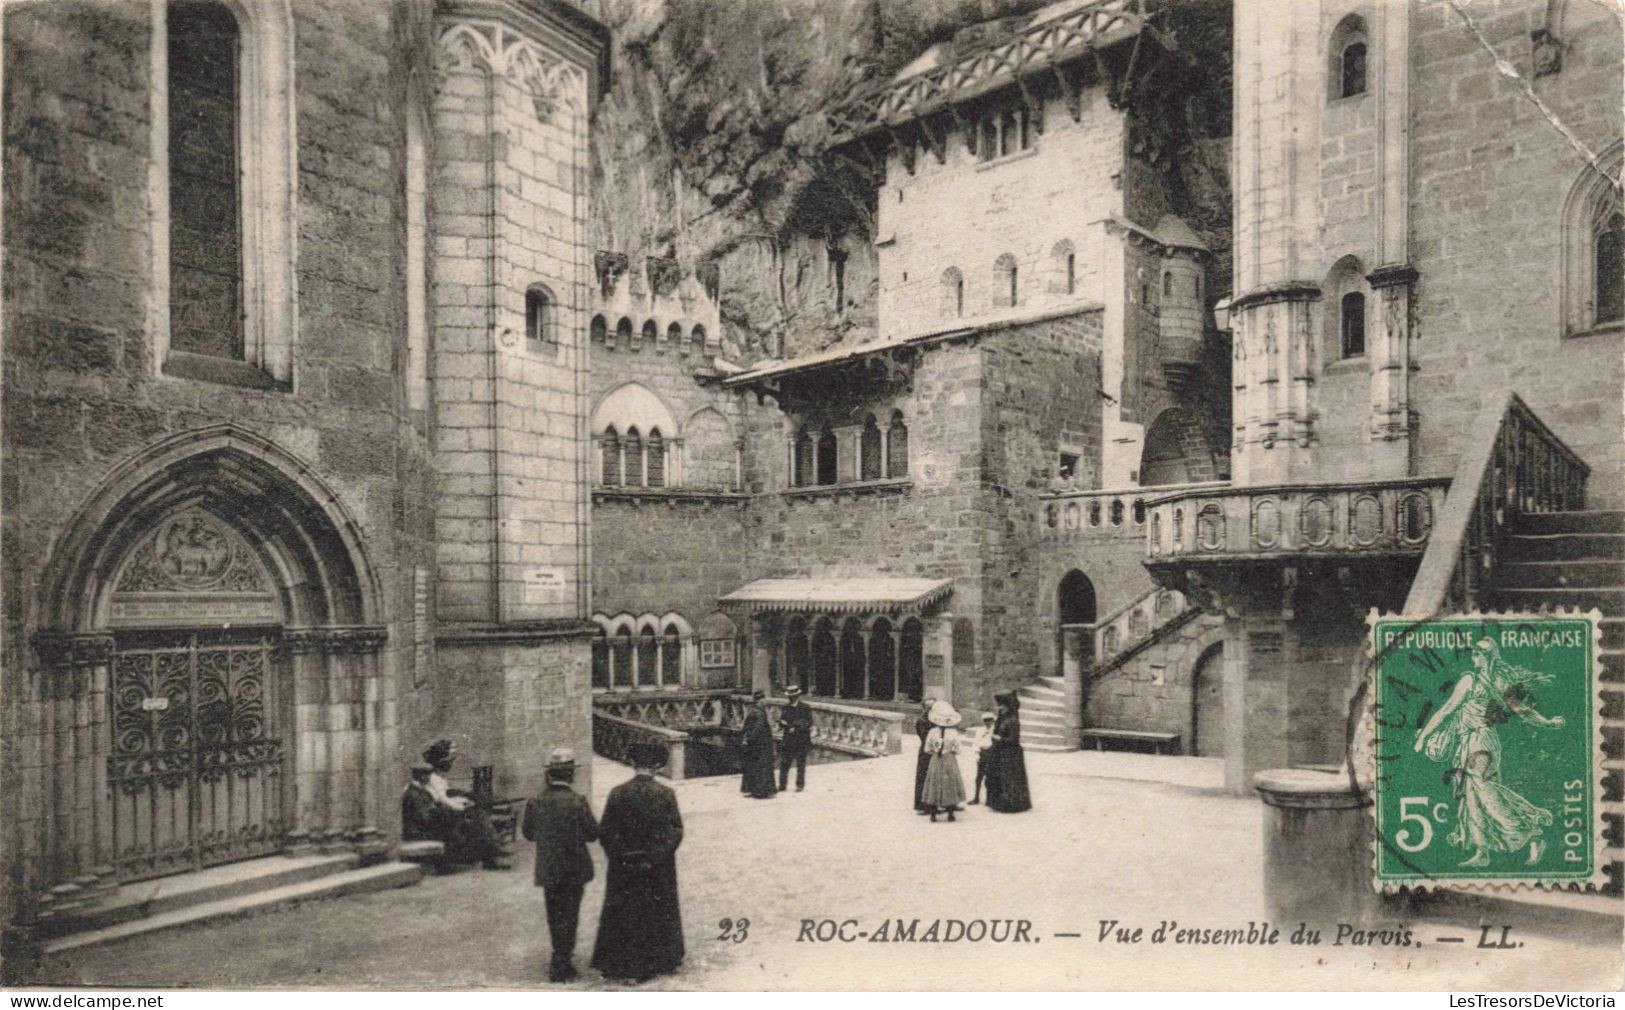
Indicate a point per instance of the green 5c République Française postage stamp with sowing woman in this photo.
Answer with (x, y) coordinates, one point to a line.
(1488, 751)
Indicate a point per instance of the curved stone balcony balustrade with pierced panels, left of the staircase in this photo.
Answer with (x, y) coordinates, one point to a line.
(1301, 520)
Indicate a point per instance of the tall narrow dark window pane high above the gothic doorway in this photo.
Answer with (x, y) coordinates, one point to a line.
(206, 249)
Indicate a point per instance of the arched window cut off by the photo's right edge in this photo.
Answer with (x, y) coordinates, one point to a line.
(1595, 251)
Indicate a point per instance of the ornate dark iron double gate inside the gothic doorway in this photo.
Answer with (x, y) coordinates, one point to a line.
(197, 757)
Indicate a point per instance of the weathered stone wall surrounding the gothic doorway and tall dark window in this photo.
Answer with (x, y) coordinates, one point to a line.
(84, 392)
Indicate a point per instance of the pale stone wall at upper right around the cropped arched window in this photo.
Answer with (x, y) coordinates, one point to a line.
(1489, 184)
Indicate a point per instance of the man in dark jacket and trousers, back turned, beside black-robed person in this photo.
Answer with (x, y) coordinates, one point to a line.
(561, 824)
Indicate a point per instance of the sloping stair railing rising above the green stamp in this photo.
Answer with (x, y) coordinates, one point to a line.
(1514, 465)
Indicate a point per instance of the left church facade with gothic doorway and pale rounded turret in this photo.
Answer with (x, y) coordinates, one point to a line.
(295, 459)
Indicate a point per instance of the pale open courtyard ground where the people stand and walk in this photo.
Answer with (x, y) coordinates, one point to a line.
(1111, 839)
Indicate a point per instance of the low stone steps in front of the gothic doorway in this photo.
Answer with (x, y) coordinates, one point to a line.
(220, 892)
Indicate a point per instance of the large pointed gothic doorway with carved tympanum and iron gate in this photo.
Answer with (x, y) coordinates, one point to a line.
(209, 603)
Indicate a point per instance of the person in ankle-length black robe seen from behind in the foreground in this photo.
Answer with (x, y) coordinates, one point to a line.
(641, 931)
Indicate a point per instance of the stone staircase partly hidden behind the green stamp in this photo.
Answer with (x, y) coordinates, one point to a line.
(1577, 559)
